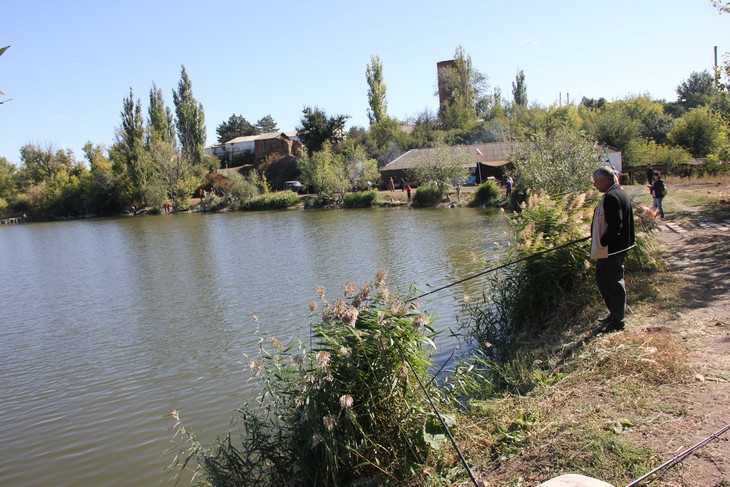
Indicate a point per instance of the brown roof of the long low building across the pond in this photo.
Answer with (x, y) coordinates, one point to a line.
(492, 154)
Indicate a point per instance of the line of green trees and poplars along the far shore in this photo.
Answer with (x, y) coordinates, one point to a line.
(159, 158)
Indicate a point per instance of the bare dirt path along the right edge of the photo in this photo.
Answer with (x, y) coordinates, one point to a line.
(700, 252)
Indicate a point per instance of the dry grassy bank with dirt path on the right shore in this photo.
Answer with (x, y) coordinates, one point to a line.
(615, 406)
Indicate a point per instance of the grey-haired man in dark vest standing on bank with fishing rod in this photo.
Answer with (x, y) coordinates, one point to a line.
(612, 235)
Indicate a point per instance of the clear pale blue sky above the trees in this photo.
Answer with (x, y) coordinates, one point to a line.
(71, 63)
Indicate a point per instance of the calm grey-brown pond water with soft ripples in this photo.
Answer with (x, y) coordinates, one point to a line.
(108, 325)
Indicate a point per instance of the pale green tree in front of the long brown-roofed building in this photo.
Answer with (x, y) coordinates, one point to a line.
(442, 166)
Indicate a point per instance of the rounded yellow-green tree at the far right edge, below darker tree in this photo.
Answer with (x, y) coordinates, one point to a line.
(700, 131)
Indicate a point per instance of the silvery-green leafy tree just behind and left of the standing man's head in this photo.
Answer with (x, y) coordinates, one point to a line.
(557, 163)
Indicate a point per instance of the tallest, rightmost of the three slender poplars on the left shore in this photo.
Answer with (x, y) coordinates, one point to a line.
(190, 120)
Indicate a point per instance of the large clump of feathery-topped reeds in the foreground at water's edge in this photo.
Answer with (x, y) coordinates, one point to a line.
(347, 412)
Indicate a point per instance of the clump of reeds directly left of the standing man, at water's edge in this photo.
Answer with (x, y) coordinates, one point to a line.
(530, 297)
